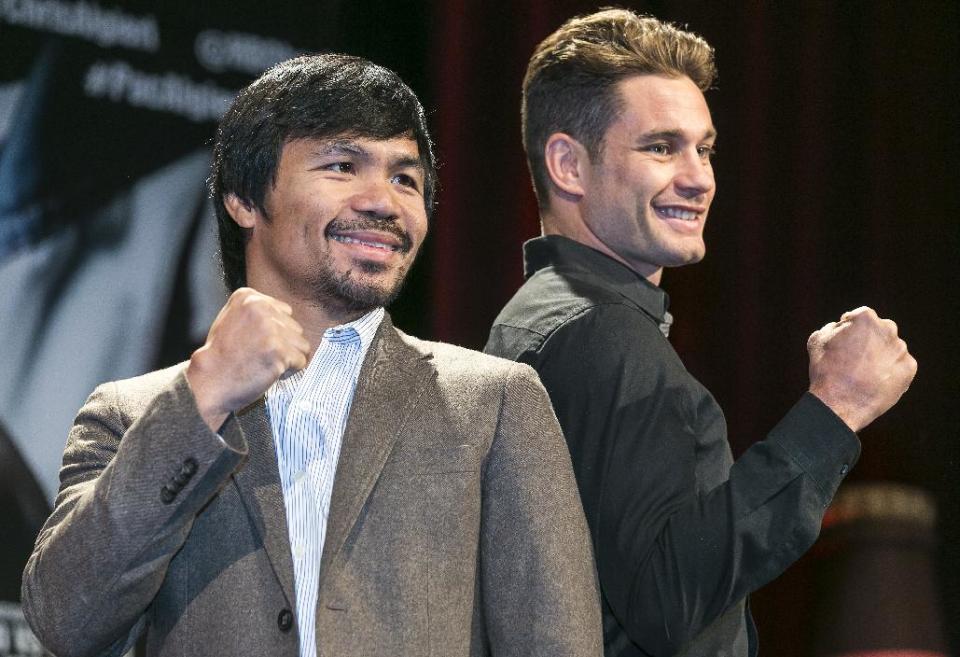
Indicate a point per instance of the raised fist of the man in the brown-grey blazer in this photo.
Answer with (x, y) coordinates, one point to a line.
(253, 341)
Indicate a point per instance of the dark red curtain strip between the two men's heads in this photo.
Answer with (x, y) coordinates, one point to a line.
(487, 207)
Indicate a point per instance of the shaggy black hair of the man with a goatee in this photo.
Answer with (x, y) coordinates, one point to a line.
(248, 142)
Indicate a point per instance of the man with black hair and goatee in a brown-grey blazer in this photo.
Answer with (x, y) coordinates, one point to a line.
(313, 481)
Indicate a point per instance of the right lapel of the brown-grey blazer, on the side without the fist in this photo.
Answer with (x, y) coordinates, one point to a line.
(391, 381)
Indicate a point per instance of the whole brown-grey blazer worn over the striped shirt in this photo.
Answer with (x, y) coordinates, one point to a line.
(455, 526)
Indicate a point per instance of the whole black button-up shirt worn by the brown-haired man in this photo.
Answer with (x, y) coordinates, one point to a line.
(681, 534)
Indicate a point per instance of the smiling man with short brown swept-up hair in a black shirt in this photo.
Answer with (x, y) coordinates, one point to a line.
(619, 141)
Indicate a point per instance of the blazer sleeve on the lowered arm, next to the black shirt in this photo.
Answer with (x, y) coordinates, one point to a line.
(535, 561)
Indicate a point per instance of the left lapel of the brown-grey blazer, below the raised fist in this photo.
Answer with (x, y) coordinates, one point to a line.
(262, 494)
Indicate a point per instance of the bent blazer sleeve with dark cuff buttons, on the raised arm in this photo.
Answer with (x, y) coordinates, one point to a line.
(137, 468)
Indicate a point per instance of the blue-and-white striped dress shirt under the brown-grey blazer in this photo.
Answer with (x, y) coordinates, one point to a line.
(308, 414)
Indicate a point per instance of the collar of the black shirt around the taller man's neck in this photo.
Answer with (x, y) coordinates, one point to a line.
(566, 254)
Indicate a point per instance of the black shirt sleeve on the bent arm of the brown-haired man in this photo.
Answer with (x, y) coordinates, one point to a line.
(671, 558)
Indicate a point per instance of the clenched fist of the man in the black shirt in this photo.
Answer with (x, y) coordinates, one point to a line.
(859, 367)
